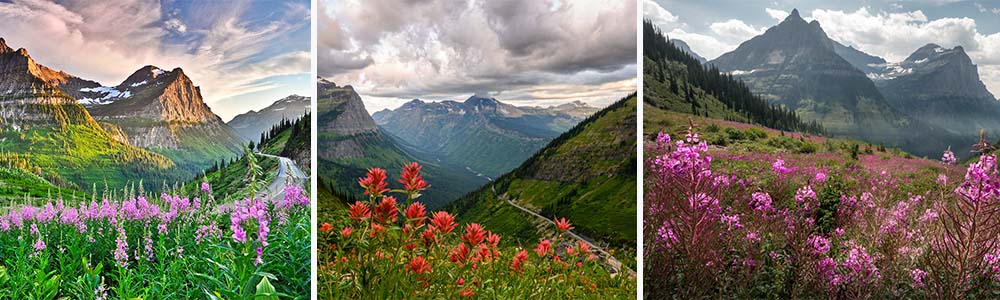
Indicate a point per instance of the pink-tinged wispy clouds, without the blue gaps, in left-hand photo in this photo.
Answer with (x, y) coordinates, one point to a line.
(108, 40)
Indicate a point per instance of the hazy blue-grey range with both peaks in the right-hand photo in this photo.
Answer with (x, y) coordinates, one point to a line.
(923, 104)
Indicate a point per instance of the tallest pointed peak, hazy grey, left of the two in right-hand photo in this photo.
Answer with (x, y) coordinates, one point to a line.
(795, 65)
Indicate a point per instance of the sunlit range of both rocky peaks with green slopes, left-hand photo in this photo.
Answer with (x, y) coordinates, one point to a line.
(154, 126)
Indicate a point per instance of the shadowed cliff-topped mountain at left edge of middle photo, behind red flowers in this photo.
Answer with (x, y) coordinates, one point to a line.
(349, 143)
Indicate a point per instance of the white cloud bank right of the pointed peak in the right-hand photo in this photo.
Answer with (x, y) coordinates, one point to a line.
(895, 35)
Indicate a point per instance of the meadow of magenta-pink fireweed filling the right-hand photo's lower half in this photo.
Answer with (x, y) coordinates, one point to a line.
(720, 224)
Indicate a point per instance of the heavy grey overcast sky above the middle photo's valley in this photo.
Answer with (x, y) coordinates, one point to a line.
(524, 52)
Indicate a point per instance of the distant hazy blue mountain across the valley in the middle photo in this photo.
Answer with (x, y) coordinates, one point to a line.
(481, 134)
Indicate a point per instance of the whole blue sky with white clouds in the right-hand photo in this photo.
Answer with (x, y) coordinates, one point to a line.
(886, 28)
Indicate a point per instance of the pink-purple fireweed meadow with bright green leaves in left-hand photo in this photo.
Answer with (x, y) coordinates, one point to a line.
(171, 247)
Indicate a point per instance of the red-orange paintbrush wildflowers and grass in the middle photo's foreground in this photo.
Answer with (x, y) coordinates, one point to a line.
(386, 248)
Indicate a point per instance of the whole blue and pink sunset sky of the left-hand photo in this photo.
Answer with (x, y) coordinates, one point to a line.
(243, 54)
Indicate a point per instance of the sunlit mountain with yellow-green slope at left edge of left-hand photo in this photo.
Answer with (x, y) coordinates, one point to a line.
(45, 124)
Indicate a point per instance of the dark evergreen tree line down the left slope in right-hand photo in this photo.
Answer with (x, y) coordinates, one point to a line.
(729, 90)
